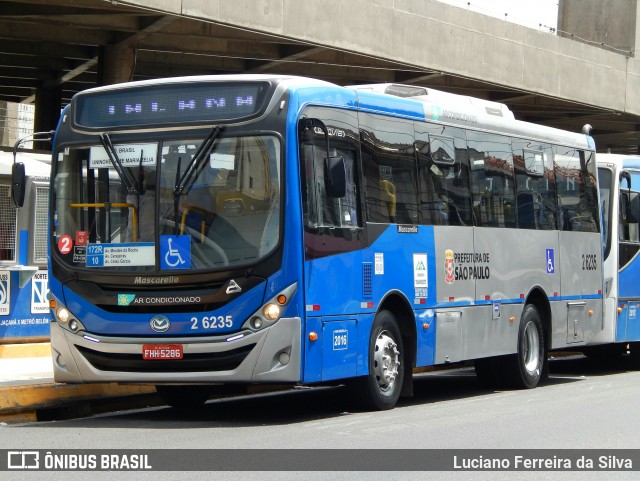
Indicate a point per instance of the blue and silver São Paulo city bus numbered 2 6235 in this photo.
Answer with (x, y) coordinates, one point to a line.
(246, 229)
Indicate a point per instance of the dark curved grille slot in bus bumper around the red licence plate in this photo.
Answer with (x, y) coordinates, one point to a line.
(204, 362)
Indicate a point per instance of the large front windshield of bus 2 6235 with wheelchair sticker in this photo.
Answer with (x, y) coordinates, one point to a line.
(150, 205)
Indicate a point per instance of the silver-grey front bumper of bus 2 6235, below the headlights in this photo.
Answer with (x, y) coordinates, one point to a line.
(272, 355)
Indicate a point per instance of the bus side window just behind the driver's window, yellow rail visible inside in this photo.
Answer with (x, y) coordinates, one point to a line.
(388, 159)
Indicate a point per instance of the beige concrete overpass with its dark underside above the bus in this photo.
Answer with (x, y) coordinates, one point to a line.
(50, 49)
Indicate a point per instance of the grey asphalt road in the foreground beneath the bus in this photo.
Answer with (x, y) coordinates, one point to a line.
(582, 406)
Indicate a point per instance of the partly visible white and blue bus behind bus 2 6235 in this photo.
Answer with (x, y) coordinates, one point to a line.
(619, 184)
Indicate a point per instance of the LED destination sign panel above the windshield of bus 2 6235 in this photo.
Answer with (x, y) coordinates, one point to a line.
(169, 104)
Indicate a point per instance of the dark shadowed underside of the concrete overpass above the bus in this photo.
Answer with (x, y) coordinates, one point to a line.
(57, 44)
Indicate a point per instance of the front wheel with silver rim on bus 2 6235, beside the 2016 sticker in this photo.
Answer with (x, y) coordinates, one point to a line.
(381, 388)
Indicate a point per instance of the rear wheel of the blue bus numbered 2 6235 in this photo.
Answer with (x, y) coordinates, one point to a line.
(524, 369)
